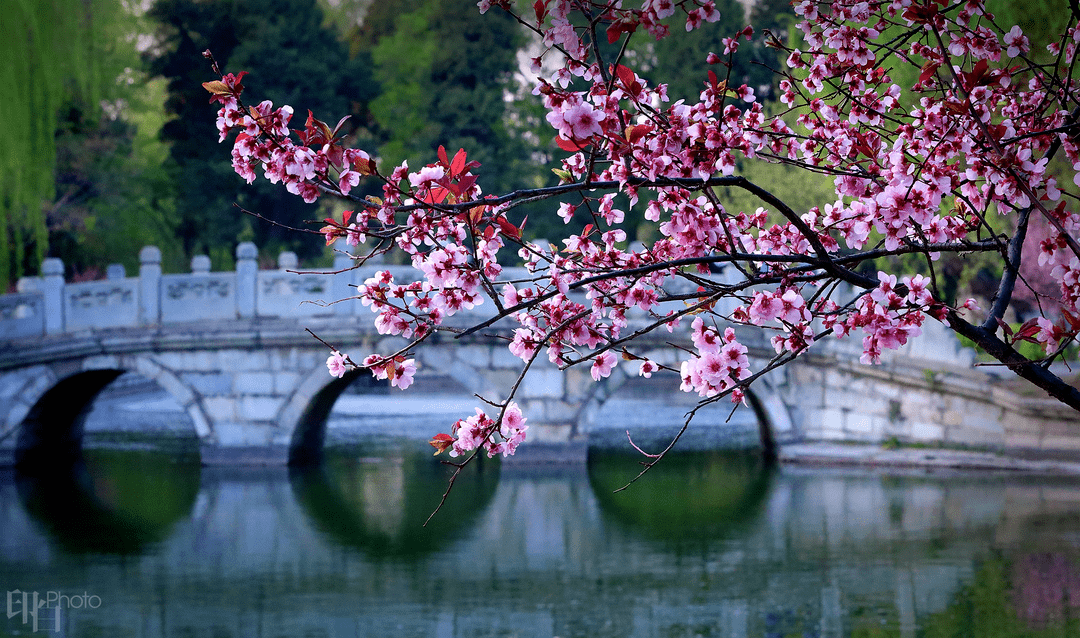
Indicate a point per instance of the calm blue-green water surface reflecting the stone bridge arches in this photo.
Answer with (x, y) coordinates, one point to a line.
(709, 545)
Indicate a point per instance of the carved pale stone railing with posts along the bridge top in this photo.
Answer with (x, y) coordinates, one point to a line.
(48, 306)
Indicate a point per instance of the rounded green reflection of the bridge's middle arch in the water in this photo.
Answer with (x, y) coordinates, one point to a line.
(376, 498)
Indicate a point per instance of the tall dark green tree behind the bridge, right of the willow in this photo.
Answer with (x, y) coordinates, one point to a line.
(293, 59)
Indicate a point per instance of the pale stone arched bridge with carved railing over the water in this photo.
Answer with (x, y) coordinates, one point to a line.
(232, 349)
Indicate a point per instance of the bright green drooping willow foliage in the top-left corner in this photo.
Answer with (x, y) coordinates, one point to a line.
(51, 50)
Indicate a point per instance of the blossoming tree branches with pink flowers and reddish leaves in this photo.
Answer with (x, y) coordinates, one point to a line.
(925, 169)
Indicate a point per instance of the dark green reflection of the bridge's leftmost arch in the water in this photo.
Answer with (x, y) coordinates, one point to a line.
(111, 501)
